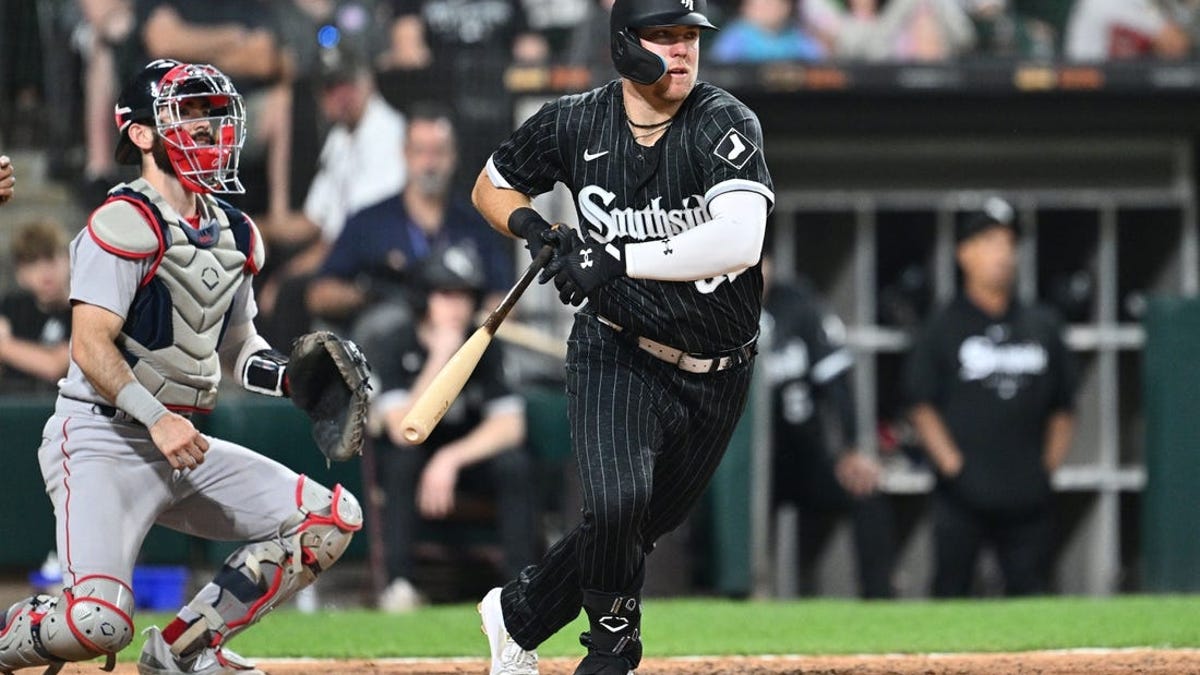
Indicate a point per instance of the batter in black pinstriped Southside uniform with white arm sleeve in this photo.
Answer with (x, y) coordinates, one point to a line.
(673, 193)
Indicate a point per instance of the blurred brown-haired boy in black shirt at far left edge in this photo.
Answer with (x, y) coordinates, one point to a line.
(35, 322)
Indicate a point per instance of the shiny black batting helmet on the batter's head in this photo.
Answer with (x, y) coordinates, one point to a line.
(635, 62)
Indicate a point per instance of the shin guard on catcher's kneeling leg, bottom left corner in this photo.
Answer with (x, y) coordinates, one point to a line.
(88, 620)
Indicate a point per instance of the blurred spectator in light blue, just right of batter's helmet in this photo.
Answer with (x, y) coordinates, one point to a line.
(765, 31)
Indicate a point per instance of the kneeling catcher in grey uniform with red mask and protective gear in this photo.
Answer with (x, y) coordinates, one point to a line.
(161, 294)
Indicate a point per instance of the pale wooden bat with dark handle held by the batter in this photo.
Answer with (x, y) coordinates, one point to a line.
(433, 404)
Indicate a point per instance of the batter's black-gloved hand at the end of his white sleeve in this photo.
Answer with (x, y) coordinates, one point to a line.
(581, 267)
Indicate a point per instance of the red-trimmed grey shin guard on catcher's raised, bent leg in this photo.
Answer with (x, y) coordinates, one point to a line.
(260, 577)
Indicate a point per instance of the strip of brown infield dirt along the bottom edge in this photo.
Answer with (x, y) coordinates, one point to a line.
(1123, 662)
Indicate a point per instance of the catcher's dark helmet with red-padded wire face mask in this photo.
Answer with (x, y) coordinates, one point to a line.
(169, 94)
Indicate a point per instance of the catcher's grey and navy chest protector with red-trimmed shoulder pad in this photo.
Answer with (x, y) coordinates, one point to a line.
(184, 302)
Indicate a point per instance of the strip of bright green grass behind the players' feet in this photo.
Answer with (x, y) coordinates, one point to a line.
(680, 628)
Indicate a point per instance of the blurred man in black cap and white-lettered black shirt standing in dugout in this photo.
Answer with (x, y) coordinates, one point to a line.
(993, 386)
